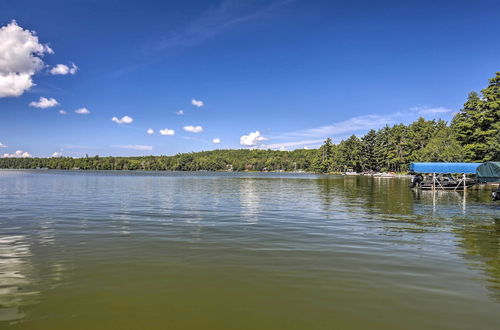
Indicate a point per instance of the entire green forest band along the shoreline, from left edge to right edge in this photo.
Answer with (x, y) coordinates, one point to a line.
(472, 135)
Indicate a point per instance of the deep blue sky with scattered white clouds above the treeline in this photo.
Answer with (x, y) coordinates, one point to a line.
(270, 74)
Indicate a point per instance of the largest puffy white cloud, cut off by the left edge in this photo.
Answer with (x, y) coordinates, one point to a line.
(20, 59)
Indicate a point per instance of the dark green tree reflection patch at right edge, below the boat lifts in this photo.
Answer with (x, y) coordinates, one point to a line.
(481, 243)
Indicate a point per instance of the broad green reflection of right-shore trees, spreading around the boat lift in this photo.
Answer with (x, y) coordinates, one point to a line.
(421, 211)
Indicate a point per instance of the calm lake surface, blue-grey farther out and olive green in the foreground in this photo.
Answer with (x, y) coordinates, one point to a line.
(145, 250)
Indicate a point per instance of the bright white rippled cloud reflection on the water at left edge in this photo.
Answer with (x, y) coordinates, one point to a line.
(16, 276)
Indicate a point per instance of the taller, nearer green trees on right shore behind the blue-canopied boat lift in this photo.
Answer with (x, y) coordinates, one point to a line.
(473, 136)
